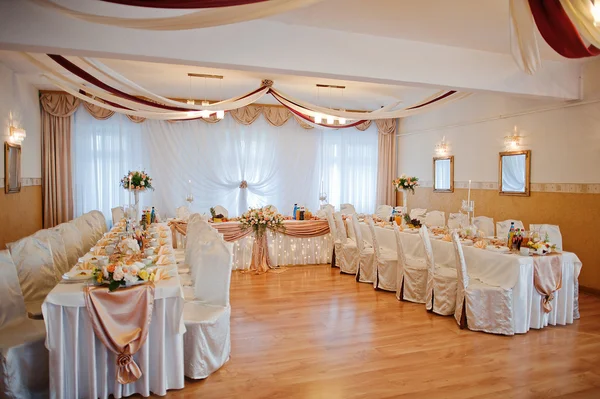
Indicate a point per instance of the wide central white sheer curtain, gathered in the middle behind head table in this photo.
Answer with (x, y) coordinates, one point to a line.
(279, 164)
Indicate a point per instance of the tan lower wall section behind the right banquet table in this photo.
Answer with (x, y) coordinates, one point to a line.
(577, 214)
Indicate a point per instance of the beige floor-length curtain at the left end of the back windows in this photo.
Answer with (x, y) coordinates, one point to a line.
(57, 111)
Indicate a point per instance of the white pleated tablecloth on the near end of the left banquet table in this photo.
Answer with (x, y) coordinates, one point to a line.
(82, 367)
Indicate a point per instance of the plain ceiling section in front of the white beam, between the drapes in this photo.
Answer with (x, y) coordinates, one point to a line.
(475, 24)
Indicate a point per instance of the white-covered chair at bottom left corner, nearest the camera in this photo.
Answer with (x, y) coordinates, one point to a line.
(23, 356)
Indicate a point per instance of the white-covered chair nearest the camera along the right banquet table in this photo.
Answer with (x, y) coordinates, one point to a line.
(479, 306)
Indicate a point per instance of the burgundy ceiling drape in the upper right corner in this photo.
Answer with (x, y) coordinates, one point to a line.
(558, 31)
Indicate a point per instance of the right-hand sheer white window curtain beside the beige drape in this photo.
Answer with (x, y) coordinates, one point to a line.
(349, 167)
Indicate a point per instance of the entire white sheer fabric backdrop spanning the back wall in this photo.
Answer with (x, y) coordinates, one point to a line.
(282, 165)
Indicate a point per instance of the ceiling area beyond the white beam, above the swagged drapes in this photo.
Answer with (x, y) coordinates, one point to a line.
(172, 81)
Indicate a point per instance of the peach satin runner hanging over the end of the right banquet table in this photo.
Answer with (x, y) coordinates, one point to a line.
(547, 277)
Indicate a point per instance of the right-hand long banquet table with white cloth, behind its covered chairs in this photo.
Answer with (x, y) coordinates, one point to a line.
(511, 271)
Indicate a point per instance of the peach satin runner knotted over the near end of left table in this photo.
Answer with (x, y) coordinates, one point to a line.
(121, 320)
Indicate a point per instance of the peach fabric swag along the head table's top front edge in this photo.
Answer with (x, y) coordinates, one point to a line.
(234, 231)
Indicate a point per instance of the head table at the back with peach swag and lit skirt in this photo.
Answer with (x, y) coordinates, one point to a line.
(284, 249)
